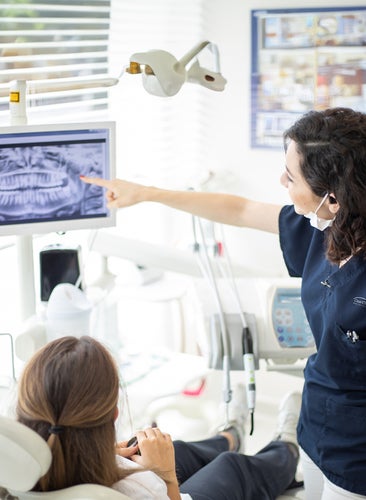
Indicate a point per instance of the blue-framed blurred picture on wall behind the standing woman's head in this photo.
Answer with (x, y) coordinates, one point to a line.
(304, 59)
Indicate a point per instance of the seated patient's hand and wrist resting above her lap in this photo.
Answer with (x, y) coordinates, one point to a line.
(157, 453)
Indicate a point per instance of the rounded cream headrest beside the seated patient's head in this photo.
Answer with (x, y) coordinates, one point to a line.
(24, 456)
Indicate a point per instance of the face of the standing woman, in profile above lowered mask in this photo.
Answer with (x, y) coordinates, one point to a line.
(302, 196)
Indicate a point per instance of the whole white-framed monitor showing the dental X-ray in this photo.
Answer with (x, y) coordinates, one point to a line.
(40, 168)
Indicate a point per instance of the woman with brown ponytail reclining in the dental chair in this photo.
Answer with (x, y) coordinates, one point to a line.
(68, 393)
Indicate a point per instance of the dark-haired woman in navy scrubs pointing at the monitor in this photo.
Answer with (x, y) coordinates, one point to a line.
(323, 240)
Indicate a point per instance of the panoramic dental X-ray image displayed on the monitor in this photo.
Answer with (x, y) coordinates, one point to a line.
(42, 181)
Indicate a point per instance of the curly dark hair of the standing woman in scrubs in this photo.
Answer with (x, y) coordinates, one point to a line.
(332, 149)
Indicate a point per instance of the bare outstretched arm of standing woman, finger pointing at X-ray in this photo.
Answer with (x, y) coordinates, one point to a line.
(219, 207)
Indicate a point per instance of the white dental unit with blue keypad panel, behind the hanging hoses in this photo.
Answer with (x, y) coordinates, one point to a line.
(273, 308)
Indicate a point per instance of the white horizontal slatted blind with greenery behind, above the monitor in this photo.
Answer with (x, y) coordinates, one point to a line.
(54, 39)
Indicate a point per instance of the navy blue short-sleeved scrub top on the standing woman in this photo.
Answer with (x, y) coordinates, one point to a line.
(332, 425)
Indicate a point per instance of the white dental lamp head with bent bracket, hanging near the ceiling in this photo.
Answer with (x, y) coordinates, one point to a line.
(164, 75)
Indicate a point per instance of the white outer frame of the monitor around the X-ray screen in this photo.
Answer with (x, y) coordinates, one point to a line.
(65, 225)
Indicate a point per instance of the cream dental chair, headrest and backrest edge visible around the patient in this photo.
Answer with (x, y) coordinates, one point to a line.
(25, 457)
